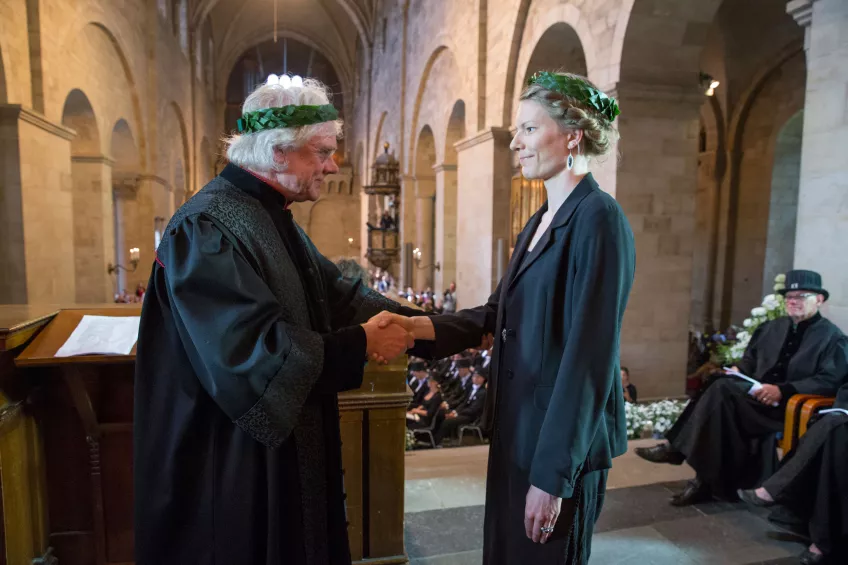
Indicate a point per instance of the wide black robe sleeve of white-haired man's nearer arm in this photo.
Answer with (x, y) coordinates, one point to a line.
(258, 368)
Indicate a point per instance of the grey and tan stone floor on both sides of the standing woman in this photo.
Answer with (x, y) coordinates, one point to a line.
(444, 516)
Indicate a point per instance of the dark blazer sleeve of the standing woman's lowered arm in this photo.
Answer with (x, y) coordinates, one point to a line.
(603, 274)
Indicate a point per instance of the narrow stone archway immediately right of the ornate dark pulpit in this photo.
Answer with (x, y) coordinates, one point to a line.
(423, 208)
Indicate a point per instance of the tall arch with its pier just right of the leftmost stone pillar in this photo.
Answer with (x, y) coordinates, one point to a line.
(93, 236)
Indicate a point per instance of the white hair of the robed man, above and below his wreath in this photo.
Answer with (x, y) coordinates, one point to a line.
(256, 150)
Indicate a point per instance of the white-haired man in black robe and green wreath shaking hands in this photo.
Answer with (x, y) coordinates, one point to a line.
(247, 335)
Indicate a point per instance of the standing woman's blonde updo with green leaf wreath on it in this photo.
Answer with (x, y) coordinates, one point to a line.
(575, 103)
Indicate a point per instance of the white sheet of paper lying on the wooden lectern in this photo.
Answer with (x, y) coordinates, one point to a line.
(102, 335)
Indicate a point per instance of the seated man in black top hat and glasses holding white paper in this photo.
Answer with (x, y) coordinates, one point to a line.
(728, 435)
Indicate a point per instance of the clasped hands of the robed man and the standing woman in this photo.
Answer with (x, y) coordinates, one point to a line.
(390, 335)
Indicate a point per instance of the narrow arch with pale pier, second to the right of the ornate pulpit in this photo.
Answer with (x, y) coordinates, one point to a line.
(446, 200)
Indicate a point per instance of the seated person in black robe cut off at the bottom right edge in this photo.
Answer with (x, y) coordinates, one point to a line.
(812, 483)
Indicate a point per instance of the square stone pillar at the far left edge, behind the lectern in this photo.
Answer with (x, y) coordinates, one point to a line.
(36, 216)
